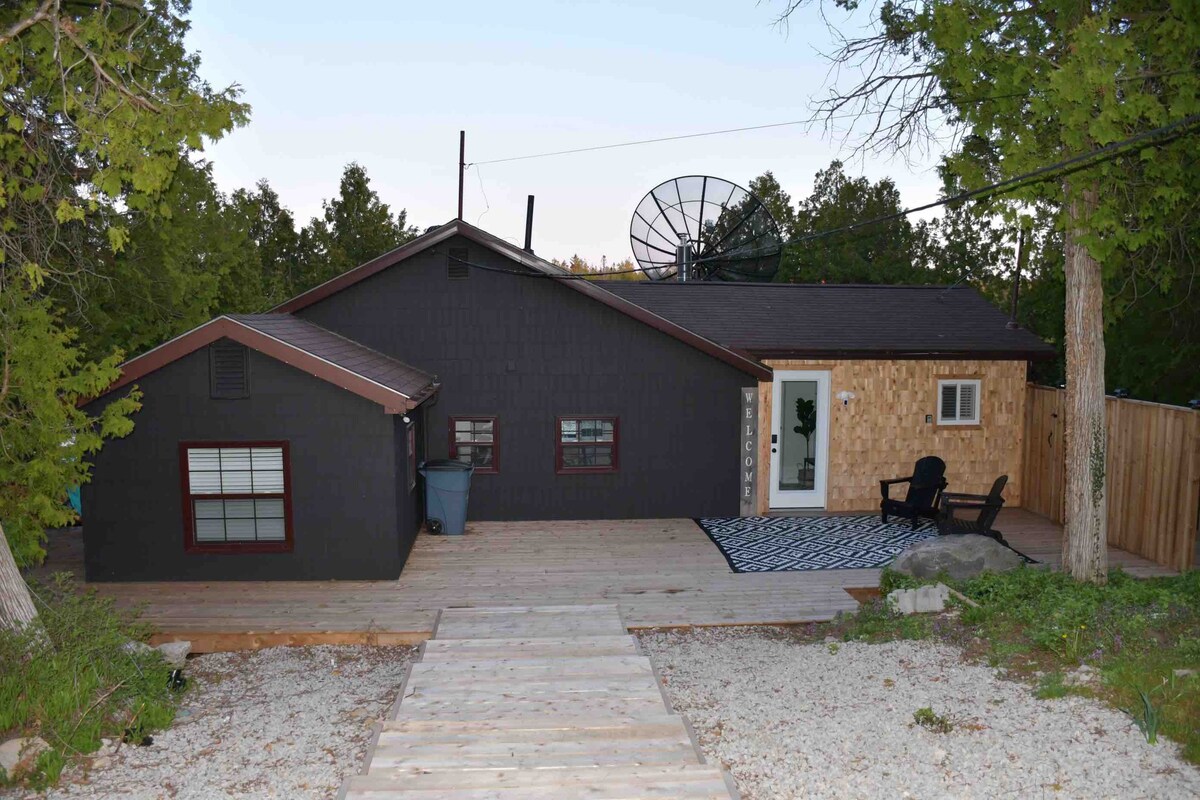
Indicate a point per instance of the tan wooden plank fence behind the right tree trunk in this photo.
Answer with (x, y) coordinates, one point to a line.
(1154, 473)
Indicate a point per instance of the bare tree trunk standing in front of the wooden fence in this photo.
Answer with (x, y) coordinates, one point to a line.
(1085, 534)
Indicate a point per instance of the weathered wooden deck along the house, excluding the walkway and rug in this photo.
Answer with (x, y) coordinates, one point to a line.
(662, 573)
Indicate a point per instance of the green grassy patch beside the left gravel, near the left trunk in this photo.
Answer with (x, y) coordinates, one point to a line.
(71, 681)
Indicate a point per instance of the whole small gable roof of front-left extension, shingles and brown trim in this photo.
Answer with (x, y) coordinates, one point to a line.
(335, 359)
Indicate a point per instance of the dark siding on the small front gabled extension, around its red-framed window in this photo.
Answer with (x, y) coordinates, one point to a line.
(344, 479)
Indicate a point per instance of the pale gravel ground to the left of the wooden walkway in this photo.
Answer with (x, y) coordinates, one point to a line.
(284, 723)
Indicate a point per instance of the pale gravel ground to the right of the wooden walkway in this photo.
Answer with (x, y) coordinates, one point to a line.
(793, 720)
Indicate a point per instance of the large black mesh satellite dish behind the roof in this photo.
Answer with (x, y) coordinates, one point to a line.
(704, 228)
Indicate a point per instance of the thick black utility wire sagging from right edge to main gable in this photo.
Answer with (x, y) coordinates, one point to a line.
(1051, 172)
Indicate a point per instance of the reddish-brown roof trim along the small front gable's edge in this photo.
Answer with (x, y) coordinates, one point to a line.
(393, 401)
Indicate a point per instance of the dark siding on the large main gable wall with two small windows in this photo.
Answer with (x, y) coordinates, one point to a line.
(529, 351)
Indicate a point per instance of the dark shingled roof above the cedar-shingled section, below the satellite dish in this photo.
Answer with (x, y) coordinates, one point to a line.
(824, 321)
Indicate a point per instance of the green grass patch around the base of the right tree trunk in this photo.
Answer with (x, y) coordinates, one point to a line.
(1135, 634)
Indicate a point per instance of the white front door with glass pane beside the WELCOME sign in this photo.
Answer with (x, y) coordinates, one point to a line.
(800, 440)
